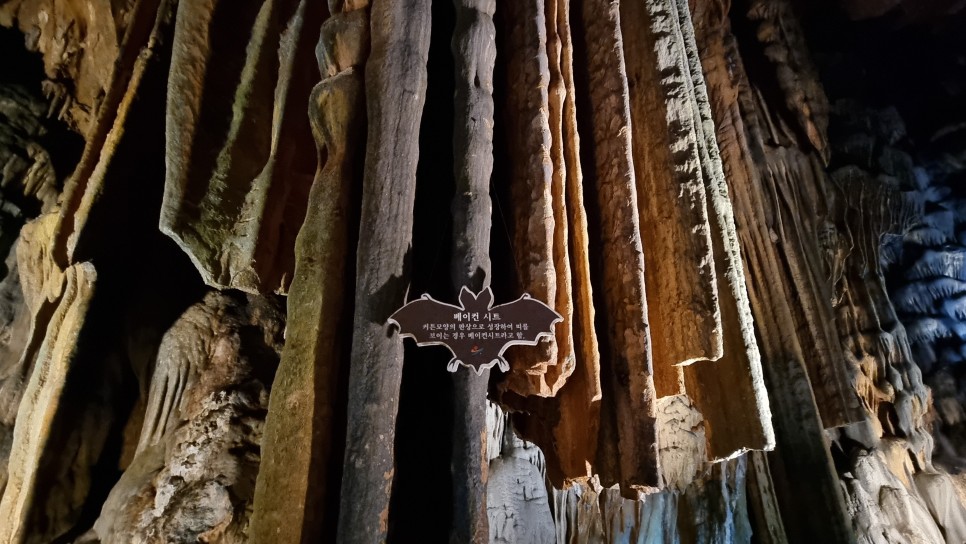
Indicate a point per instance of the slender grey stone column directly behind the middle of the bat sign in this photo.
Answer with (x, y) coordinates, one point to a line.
(474, 51)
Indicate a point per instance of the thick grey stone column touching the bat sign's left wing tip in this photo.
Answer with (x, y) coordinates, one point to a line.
(395, 93)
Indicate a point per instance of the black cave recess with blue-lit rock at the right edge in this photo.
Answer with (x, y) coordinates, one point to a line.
(897, 94)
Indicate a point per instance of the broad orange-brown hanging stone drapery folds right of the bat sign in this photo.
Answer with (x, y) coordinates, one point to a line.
(641, 212)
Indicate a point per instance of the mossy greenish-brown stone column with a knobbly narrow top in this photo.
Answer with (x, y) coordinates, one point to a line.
(301, 434)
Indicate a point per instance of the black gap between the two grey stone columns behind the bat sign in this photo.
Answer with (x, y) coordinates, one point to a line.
(422, 480)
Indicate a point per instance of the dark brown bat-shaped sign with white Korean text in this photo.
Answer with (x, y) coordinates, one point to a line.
(477, 333)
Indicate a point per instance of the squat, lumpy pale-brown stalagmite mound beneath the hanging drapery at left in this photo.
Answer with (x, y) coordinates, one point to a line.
(194, 472)
